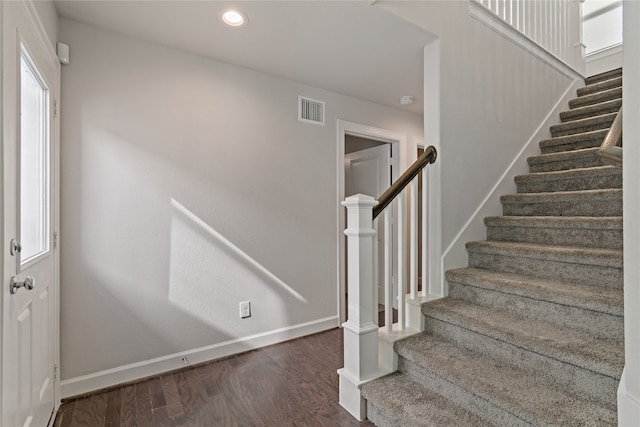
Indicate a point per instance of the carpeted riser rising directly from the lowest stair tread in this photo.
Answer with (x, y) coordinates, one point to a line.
(461, 396)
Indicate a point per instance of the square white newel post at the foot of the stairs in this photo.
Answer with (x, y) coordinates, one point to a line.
(360, 333)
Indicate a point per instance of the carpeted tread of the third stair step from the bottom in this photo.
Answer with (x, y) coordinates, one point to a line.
(602, 355)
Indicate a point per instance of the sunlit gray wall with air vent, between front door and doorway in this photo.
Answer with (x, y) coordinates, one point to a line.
(166, 156)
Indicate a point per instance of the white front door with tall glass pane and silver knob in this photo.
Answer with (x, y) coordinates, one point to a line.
(29, 294)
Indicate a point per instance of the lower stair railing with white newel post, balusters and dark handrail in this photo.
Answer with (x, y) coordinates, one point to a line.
(368, 349)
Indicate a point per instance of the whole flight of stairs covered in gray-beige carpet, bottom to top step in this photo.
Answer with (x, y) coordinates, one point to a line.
(532, 330)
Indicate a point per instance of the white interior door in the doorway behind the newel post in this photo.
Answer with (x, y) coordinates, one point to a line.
(368, 172)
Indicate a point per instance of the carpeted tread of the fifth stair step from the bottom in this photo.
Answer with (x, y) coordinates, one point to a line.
(570, 254)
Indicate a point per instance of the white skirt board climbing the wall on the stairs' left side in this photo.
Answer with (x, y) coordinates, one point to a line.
(455, 255)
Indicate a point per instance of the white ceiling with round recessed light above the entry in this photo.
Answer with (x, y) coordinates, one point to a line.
(349, 47)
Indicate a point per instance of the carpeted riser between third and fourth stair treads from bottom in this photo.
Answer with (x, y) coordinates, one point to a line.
(599, 324)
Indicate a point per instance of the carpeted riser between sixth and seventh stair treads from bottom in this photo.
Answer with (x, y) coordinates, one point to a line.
(607, 207)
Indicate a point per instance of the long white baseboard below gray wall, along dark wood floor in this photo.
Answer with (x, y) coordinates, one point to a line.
(127, 373)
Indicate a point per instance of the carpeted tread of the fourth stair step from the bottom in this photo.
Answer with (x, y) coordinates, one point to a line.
(599, 299)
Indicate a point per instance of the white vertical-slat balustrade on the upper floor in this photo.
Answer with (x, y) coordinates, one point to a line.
(555, 25)
